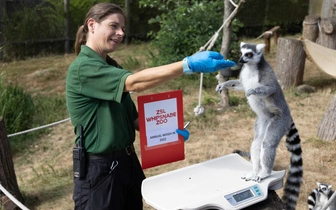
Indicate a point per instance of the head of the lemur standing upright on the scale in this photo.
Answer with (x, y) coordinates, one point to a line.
(250, 53)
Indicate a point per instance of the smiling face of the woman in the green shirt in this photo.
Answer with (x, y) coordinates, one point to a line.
(104, 37)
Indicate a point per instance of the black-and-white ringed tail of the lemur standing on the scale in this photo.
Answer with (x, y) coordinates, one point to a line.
(294, 177)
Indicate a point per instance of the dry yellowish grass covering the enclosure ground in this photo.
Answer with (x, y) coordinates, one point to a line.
(44, 167)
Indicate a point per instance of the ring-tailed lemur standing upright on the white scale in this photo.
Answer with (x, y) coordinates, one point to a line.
(274, 120)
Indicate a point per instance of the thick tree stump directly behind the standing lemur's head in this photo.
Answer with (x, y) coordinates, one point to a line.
(290, 62)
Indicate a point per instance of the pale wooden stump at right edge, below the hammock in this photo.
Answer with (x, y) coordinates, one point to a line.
(326, 129)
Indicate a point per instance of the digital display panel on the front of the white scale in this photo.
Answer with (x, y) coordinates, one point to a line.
(244, 195)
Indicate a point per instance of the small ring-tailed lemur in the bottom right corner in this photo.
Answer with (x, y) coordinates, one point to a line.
(320, 196)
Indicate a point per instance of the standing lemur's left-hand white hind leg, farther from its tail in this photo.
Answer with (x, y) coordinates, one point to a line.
(255, 150)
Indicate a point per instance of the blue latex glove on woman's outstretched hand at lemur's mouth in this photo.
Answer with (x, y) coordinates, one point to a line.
(205, 62)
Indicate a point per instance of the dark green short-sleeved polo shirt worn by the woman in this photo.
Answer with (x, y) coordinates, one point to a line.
(95, 100)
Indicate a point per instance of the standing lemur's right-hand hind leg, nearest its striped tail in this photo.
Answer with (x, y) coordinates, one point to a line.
(274, 131)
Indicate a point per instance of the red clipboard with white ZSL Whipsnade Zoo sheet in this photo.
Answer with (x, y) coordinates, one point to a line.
(159, 117)
